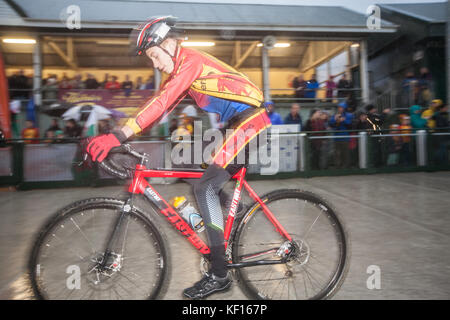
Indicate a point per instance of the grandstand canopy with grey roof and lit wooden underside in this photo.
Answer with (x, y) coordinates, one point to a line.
(235, 28)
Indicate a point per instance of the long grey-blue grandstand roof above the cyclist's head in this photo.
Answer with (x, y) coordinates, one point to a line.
(203, 15)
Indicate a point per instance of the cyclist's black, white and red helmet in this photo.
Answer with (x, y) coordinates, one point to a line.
(153, 33)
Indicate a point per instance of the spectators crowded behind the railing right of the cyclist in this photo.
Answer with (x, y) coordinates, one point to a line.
(396, 148)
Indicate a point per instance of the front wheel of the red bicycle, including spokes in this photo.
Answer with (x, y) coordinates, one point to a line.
(66, 261)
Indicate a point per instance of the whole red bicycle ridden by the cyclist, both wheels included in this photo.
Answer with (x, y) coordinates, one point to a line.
(289, 244)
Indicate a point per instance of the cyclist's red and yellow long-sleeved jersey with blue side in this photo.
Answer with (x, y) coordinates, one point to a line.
(214, 85)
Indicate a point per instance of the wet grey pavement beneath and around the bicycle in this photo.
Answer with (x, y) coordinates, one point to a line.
(398, 225)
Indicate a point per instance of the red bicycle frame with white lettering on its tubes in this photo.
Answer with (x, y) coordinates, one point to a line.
(141, 186)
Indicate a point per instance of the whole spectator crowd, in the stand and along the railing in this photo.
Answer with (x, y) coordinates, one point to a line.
(345, 121)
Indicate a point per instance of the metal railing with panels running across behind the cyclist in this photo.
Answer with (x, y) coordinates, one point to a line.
(299, 154)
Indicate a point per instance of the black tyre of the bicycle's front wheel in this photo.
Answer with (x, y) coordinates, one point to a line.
(148, 225)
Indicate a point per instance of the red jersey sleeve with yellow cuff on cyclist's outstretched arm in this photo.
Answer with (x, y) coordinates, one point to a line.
(188, 70)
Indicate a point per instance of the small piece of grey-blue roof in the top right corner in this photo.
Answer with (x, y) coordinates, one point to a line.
(435, 12)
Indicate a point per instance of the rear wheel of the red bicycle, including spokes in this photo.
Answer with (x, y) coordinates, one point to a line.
(316, 257)
